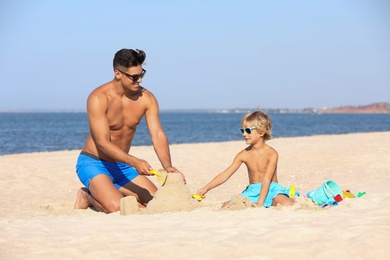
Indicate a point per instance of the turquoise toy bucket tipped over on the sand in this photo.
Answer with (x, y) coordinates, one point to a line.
(326, 193)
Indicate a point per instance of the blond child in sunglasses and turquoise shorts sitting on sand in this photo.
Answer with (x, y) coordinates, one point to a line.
(261, 161)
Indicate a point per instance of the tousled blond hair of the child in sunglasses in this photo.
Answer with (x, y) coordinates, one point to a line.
(261, 121)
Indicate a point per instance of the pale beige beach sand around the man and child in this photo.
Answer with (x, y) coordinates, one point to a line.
(38, 191)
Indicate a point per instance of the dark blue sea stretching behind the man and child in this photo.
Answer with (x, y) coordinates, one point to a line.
(44, 131)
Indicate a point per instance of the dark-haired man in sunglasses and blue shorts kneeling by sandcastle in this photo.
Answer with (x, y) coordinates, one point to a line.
(114, 110)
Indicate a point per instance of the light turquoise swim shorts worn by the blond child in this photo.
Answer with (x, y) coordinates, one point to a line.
(252, 192)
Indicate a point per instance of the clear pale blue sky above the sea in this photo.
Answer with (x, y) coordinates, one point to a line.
(200, 54)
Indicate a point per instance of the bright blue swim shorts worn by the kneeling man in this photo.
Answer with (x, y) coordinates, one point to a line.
(88, 166)
